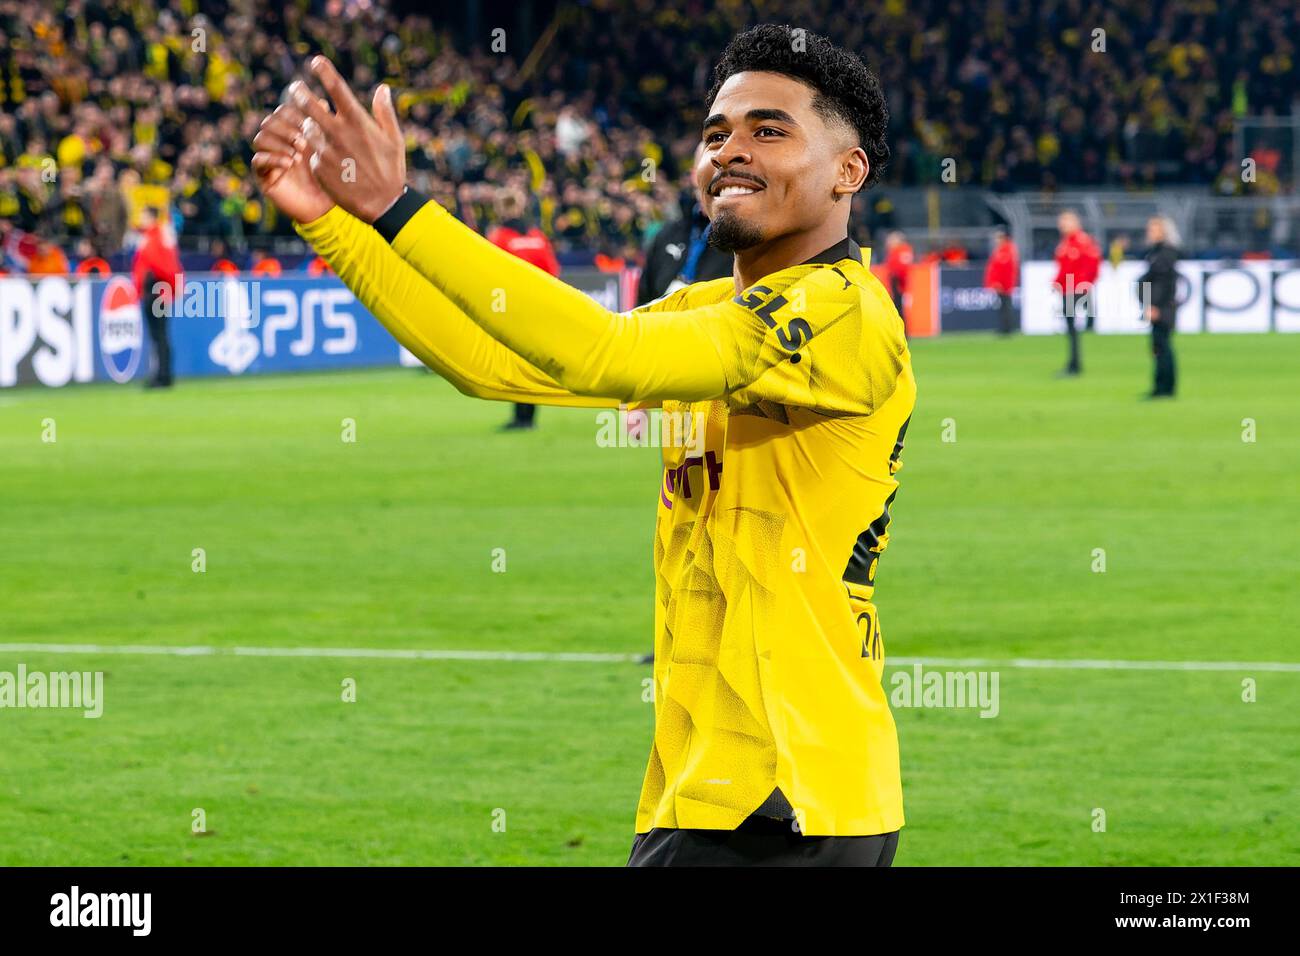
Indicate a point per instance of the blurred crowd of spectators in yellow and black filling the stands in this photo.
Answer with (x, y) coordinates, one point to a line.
(110, 107)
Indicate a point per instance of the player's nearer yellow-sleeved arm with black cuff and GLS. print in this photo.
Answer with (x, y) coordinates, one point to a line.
(805, 336)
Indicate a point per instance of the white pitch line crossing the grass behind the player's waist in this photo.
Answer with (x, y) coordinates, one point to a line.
(582, 657)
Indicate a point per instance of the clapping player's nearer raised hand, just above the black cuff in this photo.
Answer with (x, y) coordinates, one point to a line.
(359, 157)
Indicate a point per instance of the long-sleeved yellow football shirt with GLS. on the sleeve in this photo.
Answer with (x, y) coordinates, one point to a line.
(773, 508)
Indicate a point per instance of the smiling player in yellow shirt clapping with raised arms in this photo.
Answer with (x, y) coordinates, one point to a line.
(774, 742)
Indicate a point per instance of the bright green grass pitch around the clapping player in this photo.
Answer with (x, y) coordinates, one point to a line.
(388, 543)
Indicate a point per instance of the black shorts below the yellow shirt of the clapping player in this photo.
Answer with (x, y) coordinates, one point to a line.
(760, 842)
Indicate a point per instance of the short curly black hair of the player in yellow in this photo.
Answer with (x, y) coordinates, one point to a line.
(844, 86)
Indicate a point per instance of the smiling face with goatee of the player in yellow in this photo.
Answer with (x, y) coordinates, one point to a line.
(773, 166)
